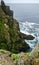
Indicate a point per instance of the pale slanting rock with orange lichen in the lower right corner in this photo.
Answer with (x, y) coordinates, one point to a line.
(34, 55)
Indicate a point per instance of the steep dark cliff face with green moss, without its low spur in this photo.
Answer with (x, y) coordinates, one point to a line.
(10, 36)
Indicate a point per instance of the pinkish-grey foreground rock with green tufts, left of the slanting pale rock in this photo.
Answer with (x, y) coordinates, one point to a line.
(20, 59)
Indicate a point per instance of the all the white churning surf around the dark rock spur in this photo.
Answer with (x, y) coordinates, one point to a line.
(30, 29)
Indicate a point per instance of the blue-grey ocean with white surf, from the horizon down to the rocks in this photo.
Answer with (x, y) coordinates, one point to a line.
(28, 17)
